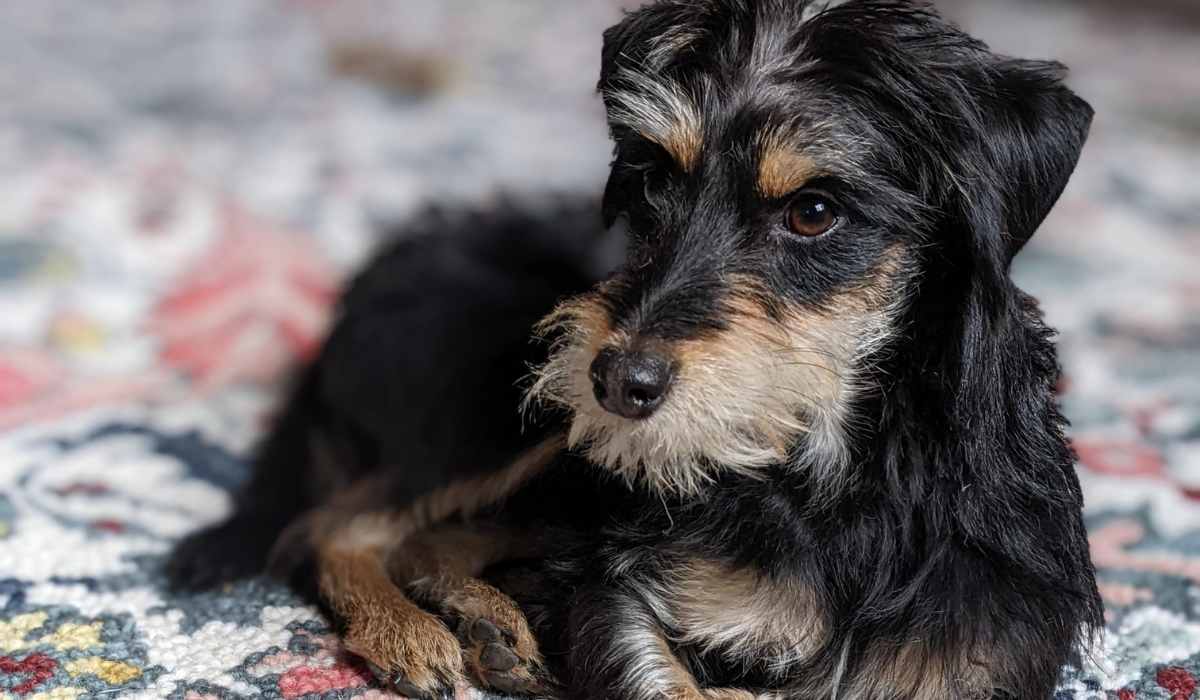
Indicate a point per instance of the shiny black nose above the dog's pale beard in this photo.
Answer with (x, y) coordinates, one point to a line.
(632, 385)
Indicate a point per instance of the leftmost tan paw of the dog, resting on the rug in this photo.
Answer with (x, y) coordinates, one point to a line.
(410, 649)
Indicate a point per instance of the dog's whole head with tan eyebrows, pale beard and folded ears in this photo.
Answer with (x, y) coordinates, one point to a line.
(791, 176)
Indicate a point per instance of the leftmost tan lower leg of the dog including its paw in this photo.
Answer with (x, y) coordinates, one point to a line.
(382, 625)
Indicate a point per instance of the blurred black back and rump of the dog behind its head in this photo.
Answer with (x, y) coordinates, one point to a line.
(419, 381)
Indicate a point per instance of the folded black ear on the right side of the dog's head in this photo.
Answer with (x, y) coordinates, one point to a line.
(1034, 129)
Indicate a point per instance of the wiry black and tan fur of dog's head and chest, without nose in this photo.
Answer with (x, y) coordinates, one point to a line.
(940, 539)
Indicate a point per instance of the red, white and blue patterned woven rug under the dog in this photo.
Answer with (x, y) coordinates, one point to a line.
(183, 187)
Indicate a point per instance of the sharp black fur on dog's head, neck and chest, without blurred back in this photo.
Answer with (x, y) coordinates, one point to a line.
(962, 525)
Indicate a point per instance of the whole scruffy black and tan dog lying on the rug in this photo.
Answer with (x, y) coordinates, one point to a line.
(802, 442)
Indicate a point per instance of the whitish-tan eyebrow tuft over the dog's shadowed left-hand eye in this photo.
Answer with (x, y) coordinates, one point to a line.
(661, 111)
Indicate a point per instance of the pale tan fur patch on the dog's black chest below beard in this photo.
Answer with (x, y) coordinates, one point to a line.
(746, 617)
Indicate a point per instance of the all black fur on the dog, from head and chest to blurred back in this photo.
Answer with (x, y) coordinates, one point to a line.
(957, 517)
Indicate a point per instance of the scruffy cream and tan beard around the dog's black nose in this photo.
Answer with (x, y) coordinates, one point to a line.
(763, 392)
